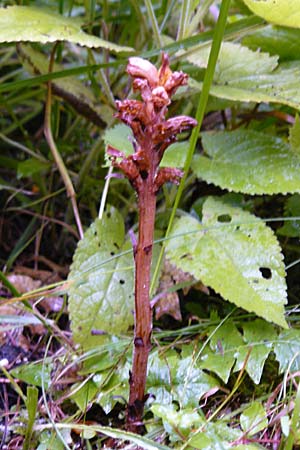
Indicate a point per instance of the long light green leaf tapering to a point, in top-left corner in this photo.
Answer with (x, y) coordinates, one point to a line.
(34, 24)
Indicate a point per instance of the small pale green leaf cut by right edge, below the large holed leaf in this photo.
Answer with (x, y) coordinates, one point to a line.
(287, 350)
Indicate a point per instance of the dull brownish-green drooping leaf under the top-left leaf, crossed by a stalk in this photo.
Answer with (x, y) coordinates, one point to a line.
(69, 88)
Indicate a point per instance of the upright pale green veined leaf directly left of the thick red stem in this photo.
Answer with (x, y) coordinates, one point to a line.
(101, 282)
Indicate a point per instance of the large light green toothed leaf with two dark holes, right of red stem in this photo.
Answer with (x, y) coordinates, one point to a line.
(236, 254)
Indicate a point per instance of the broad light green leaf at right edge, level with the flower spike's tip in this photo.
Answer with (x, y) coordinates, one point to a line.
(250, 76)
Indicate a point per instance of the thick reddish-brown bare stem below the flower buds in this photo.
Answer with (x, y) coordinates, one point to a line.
(143, 312)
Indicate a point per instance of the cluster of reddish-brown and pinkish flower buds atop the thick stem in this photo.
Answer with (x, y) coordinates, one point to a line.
(147, 119)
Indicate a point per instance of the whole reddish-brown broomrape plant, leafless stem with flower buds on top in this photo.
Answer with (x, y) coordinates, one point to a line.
(153, 133)
